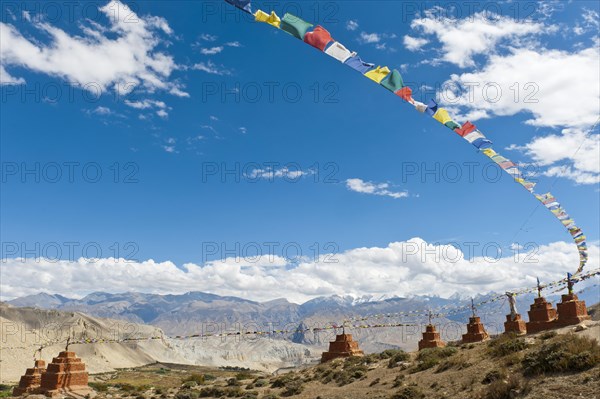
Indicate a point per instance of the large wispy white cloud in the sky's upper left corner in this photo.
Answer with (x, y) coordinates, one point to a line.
(121, 56)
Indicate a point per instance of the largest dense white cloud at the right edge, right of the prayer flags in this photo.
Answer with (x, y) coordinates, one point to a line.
(558, 88)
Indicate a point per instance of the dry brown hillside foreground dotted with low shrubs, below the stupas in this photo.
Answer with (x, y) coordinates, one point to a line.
(561, 364)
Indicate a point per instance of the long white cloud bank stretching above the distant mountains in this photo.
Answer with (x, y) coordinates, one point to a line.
(412, 267)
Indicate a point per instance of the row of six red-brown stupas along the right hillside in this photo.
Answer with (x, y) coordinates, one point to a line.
(542, 316)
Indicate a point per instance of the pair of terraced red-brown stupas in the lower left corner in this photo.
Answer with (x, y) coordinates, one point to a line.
(66, 374)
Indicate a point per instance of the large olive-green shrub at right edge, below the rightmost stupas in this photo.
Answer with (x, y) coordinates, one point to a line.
(562, 354)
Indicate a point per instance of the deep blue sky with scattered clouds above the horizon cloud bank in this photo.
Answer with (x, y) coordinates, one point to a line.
(167, 136)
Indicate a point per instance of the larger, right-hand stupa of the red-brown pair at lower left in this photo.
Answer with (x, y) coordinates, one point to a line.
(66, 374)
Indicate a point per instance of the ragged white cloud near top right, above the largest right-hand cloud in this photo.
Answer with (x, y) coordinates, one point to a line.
(462, 39)
